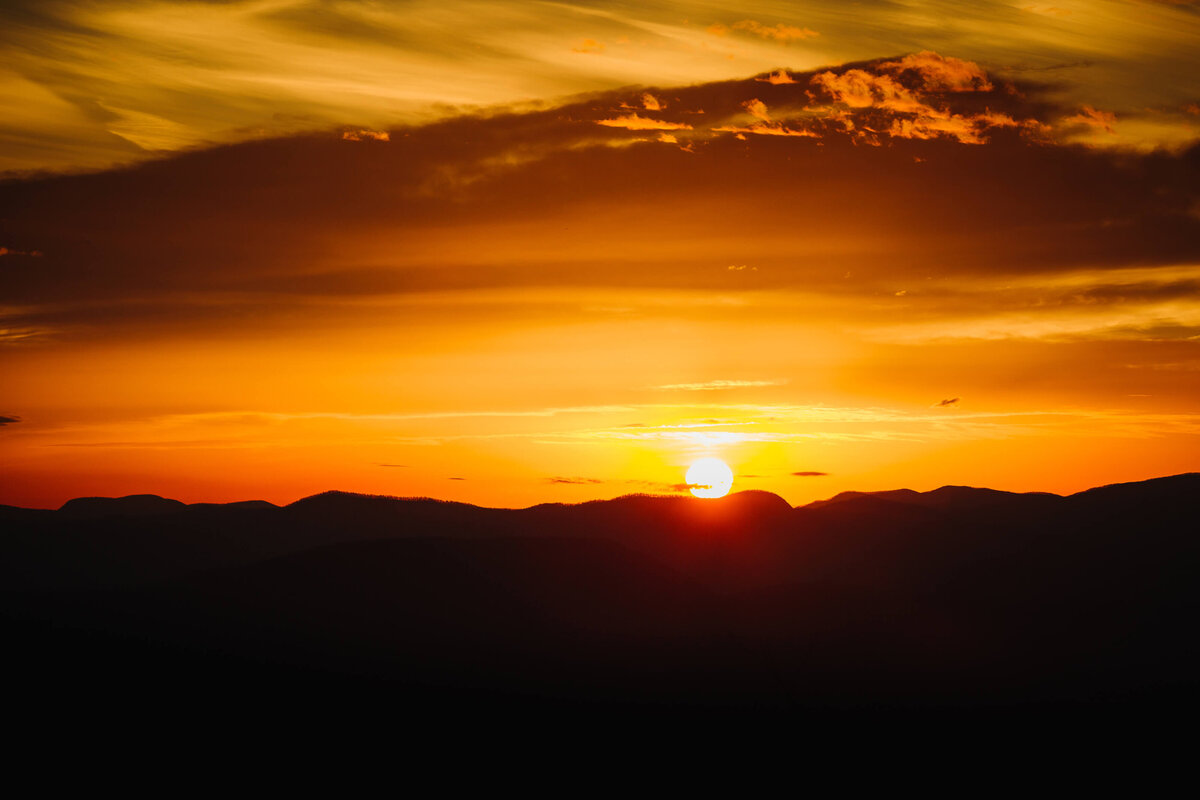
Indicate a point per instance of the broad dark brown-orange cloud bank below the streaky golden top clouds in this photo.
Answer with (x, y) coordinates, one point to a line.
(267, 233)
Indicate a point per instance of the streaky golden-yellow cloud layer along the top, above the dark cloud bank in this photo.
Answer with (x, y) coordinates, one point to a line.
(291, 67)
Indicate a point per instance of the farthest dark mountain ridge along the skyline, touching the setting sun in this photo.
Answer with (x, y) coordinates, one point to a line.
(745, 540)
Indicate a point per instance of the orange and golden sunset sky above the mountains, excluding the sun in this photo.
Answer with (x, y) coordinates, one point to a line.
(514, 254)
